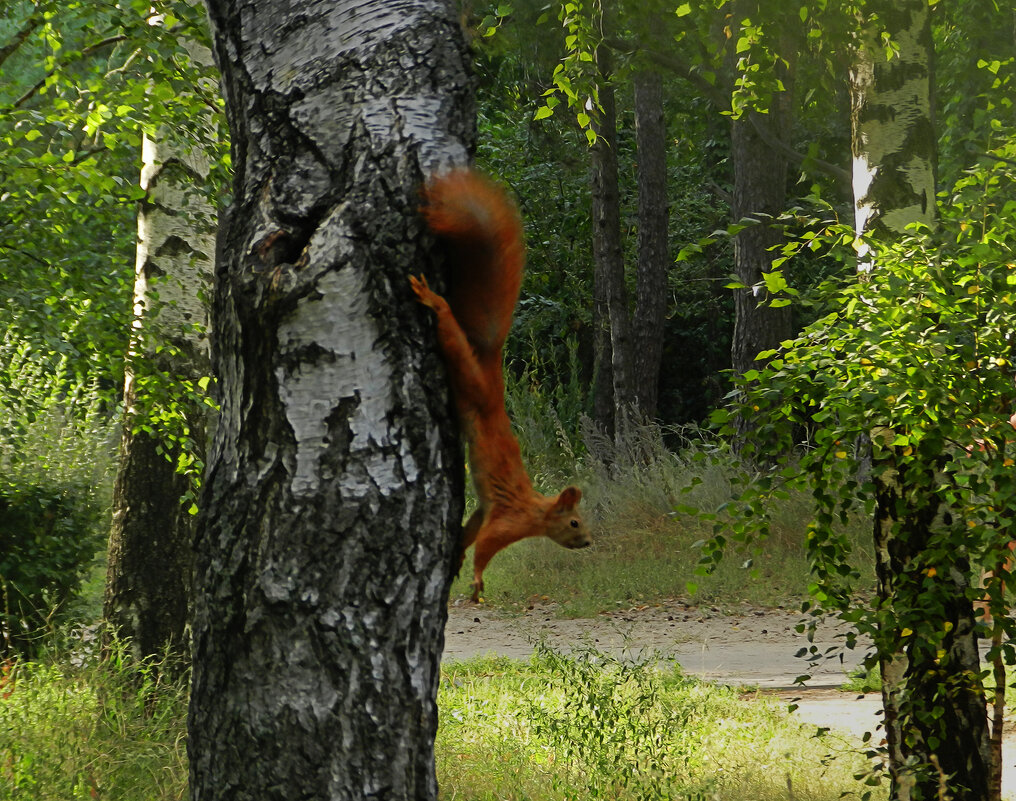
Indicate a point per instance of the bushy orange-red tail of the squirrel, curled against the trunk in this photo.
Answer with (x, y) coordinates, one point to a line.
(481, 226)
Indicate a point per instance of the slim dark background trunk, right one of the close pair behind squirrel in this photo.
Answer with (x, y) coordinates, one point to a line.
(651, 301)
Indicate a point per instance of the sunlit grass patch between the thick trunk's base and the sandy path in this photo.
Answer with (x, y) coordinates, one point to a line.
(592, 726)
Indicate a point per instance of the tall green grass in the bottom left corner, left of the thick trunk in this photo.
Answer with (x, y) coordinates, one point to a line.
(78, 727)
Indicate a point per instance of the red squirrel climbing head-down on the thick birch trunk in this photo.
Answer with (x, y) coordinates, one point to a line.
(483, 232)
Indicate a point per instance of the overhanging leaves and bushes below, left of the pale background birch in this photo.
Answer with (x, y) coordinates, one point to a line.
(82, 83)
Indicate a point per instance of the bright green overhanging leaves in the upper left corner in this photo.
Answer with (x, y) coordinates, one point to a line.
(76, 94)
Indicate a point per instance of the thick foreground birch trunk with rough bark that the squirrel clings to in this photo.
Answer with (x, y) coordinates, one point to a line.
(332, 511)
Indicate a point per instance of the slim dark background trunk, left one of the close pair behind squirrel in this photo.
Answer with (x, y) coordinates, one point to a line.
(609, 271)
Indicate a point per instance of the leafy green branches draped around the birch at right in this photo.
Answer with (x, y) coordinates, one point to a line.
(910, 374)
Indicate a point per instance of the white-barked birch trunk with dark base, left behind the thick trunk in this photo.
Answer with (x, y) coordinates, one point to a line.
(149, 577)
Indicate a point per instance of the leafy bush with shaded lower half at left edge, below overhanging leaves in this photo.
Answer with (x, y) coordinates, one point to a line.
(56, 462)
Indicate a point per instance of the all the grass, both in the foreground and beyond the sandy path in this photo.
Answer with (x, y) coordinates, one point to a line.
(75, 726)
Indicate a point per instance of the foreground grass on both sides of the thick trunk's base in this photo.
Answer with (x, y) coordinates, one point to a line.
(585, 726)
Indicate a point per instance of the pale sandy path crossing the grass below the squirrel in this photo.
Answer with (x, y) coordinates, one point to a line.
(742, 647)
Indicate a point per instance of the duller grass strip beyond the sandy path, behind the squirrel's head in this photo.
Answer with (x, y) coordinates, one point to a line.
(646, 551)
